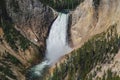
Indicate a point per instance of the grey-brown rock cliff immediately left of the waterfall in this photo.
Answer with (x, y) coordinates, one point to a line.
(31, 18)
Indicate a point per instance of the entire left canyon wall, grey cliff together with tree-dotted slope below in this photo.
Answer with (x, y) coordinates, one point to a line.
(24, 26)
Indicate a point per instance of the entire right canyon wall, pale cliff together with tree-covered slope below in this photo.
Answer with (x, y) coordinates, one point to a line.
(92, 17)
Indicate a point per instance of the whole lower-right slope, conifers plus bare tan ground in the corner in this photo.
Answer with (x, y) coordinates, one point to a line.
(98, 55)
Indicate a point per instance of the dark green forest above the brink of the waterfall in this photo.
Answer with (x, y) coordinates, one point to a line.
(62, 4)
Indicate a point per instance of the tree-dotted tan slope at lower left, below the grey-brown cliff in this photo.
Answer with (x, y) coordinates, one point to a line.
(16, 52)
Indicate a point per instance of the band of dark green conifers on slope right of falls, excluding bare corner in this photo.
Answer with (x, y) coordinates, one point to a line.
(98, 50)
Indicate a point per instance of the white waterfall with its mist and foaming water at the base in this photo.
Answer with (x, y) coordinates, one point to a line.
(56, 43)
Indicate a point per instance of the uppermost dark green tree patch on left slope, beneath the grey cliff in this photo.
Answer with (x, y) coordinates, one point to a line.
(13, 37)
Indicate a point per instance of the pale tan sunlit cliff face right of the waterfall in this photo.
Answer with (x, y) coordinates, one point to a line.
(89, 19)
